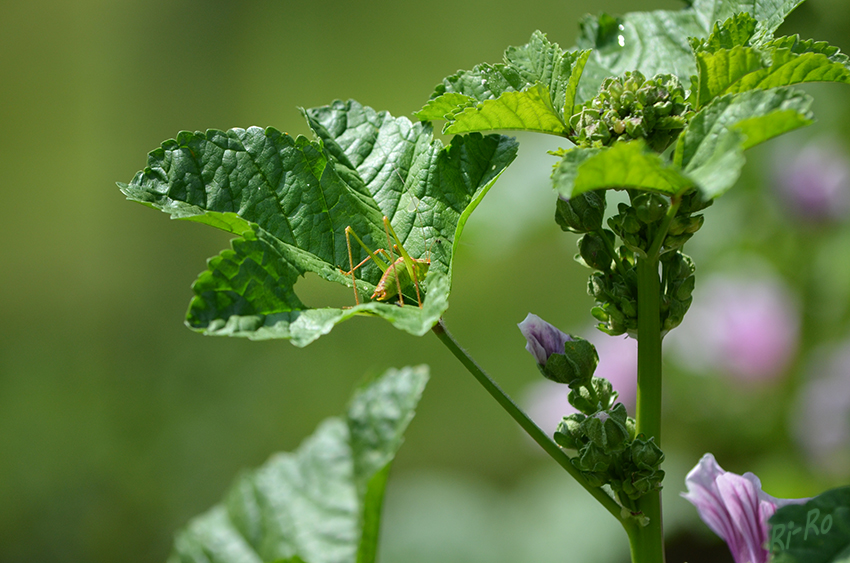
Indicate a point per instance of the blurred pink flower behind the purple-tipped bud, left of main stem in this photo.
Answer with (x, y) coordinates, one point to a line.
(546, 401)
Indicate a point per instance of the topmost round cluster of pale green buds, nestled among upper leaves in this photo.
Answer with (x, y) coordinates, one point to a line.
(633, 107)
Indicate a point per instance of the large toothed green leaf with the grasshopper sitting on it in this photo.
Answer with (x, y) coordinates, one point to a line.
(290, 201)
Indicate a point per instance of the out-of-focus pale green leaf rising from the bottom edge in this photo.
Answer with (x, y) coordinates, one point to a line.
(321, 503)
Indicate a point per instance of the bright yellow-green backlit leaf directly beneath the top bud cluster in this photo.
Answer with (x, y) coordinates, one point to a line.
(623, 165)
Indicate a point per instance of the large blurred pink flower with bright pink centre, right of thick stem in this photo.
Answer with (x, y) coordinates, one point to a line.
(746, 326)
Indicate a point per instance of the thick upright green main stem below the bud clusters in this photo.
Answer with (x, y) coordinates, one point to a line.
(648, 542)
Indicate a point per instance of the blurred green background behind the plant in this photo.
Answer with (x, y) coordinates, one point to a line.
(118, 424)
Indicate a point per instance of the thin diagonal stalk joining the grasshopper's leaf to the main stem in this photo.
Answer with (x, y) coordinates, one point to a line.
(549, 446)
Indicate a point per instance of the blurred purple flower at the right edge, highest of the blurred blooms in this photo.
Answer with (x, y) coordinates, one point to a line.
(814, 183)
